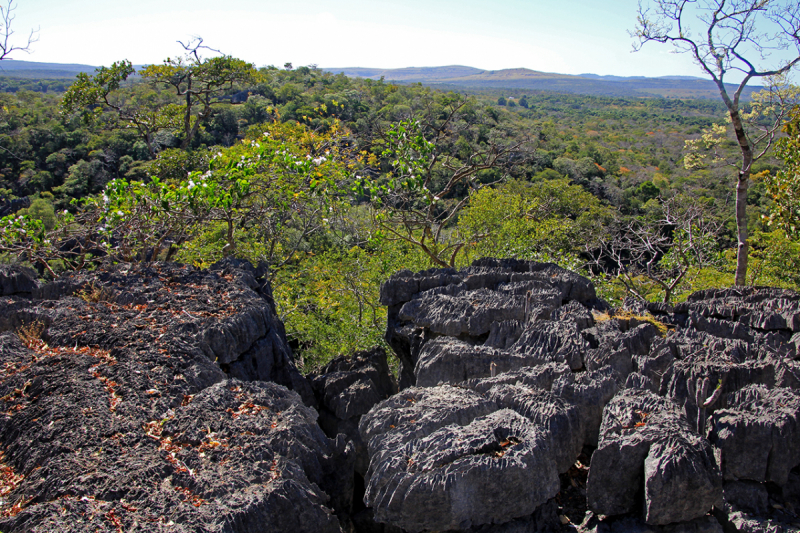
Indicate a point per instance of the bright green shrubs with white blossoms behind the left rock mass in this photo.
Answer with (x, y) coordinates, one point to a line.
(266, 184)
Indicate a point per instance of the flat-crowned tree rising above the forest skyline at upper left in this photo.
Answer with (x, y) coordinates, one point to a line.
(199, 82)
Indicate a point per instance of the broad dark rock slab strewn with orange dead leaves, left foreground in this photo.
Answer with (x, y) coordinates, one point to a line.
(124, 408)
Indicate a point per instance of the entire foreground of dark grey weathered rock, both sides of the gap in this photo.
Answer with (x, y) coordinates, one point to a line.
(165, 398)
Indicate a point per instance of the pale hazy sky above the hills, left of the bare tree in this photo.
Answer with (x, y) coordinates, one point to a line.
(566, 36)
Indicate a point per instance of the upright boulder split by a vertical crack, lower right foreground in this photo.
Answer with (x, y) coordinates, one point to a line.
(648, 453)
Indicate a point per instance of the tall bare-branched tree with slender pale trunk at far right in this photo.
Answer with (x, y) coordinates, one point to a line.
(724, 37)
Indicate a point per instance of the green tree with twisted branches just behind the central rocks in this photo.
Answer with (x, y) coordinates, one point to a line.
(434, 169)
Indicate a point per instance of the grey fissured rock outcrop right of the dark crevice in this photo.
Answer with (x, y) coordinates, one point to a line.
(674, 404)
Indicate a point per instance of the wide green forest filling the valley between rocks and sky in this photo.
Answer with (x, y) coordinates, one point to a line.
(335, 183)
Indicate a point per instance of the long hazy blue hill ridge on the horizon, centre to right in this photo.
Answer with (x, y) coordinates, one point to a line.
(526, 79)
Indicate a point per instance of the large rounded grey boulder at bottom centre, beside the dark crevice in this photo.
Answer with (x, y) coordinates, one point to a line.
(492, 470)
